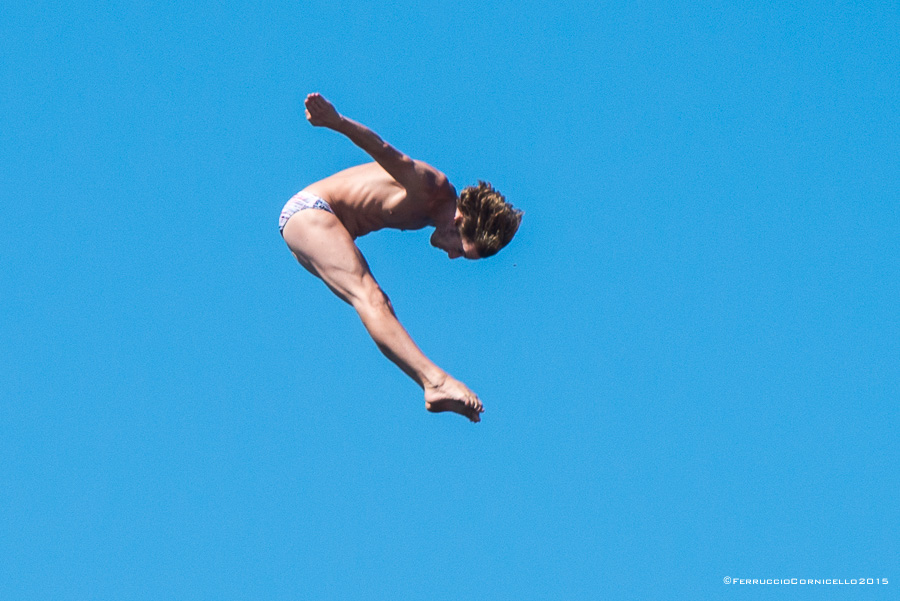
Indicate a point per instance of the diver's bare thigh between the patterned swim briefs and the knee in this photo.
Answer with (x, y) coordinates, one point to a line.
(322, 244)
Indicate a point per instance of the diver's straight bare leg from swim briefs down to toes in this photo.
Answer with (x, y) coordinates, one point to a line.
(323, 246)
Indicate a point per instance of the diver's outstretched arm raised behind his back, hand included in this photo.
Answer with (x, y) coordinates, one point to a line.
(412, 175)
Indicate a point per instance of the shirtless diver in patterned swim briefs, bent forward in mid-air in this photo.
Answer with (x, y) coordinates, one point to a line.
(322, 221)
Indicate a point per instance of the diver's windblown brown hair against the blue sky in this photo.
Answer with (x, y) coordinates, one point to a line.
(489, 222)
